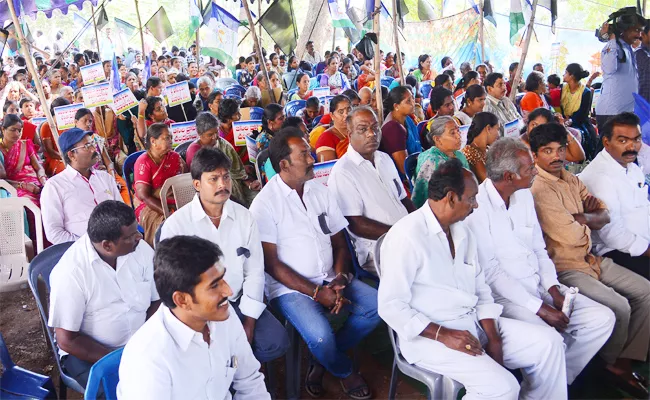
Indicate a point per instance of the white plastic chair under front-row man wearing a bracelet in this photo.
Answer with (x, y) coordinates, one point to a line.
(440, 387)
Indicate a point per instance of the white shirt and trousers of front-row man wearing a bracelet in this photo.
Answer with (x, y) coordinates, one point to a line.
(422, 283)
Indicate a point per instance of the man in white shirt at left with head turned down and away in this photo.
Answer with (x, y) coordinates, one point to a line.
(102, 289)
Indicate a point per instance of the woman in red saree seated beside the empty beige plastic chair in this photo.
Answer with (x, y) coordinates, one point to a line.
(151, 170)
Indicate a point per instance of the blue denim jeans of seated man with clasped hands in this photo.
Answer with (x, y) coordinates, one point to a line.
(310, 320)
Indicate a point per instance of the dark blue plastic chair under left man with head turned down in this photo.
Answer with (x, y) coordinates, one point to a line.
(41, 267)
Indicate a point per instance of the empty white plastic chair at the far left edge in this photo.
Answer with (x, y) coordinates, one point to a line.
(14, 257)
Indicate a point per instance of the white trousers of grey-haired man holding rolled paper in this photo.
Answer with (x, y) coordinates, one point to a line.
(590, 326)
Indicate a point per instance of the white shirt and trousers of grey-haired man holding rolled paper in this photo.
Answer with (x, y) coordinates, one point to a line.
(520, 273)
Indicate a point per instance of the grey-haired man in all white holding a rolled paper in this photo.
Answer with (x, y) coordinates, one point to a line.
(517, 267)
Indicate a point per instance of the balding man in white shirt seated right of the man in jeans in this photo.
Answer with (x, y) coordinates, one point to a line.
(367, 186)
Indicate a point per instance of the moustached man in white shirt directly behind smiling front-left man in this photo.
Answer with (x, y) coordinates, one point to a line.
(213, 216)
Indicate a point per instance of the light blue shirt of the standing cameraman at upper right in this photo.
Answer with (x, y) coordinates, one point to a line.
(619, 80)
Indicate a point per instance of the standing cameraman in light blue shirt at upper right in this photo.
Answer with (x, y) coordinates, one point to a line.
(619, 67)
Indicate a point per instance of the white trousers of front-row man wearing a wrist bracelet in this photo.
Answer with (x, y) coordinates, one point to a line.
(538, 351)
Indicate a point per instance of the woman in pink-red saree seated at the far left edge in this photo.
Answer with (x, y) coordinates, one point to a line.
(23, 170)
